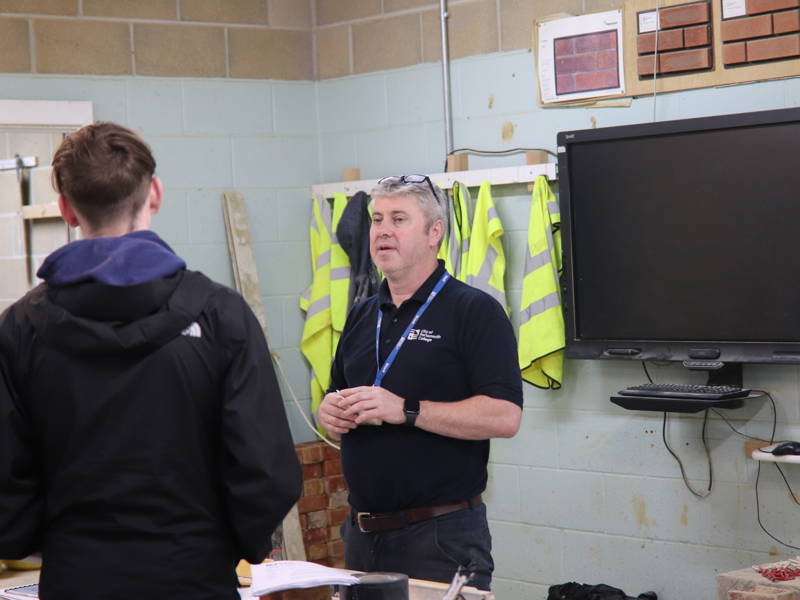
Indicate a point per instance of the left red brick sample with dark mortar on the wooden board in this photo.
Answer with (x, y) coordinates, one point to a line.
(684, 41)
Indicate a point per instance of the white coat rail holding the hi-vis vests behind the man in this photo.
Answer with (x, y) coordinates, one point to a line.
(499, 176)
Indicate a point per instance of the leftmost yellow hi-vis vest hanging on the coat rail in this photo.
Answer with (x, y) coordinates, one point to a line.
(317, 341)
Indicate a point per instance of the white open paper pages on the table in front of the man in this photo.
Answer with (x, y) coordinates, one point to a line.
(290, 574)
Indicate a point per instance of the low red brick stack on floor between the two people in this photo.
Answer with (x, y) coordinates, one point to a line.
(323, 506)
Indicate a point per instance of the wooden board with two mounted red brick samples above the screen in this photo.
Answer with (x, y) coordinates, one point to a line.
(699, 46)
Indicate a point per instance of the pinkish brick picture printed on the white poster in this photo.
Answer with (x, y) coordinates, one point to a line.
(587, 62)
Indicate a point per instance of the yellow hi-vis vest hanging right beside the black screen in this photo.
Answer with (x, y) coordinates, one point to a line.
(541, 330)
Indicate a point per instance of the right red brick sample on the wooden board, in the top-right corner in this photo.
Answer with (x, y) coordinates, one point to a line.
(769, 31)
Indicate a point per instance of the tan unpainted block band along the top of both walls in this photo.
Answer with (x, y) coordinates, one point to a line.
(280, 39)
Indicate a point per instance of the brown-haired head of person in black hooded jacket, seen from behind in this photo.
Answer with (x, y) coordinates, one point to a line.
(104, 170)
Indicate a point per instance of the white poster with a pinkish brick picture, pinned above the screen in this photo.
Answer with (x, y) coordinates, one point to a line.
(580, 57)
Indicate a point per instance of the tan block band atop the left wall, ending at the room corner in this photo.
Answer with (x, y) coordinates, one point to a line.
(269, 39)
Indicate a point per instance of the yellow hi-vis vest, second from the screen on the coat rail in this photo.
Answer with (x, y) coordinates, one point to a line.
(486, 261)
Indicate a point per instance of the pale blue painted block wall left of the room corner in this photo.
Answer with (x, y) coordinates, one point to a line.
(208, 136)
